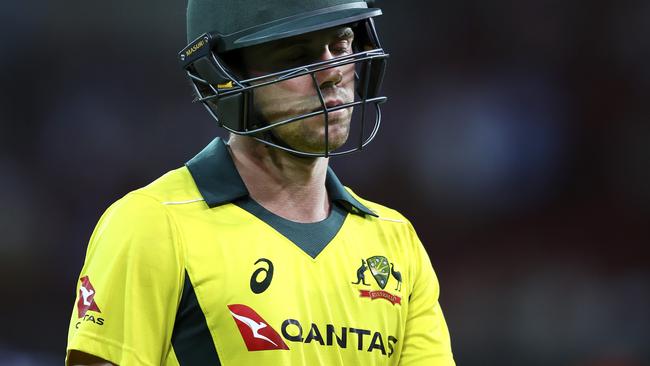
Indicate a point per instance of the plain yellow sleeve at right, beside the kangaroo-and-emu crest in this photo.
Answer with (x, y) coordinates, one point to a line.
(426, 340)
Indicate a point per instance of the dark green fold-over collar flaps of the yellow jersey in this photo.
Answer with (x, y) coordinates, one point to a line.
(219, 182)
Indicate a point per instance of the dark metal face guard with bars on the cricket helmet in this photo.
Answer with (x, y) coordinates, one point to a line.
(229, 99)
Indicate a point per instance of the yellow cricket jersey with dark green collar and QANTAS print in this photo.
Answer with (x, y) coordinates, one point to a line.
(190, 271)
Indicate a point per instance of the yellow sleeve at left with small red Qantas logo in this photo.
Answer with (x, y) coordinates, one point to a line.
(129, 286)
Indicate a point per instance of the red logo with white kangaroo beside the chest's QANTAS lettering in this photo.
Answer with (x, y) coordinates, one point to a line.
(257, 333)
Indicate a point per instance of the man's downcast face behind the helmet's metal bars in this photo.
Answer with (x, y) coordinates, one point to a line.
(297, 96)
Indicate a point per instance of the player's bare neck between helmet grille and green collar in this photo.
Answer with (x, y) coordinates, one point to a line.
(291, 187)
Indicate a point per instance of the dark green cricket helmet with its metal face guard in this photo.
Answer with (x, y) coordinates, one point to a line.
(216, 28)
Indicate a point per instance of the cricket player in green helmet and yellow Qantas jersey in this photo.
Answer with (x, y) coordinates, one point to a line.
(254, 253)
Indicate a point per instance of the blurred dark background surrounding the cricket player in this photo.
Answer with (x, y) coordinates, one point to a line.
(516, 139)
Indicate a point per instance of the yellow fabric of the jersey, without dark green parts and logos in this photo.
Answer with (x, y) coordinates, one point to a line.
(143, 245)
